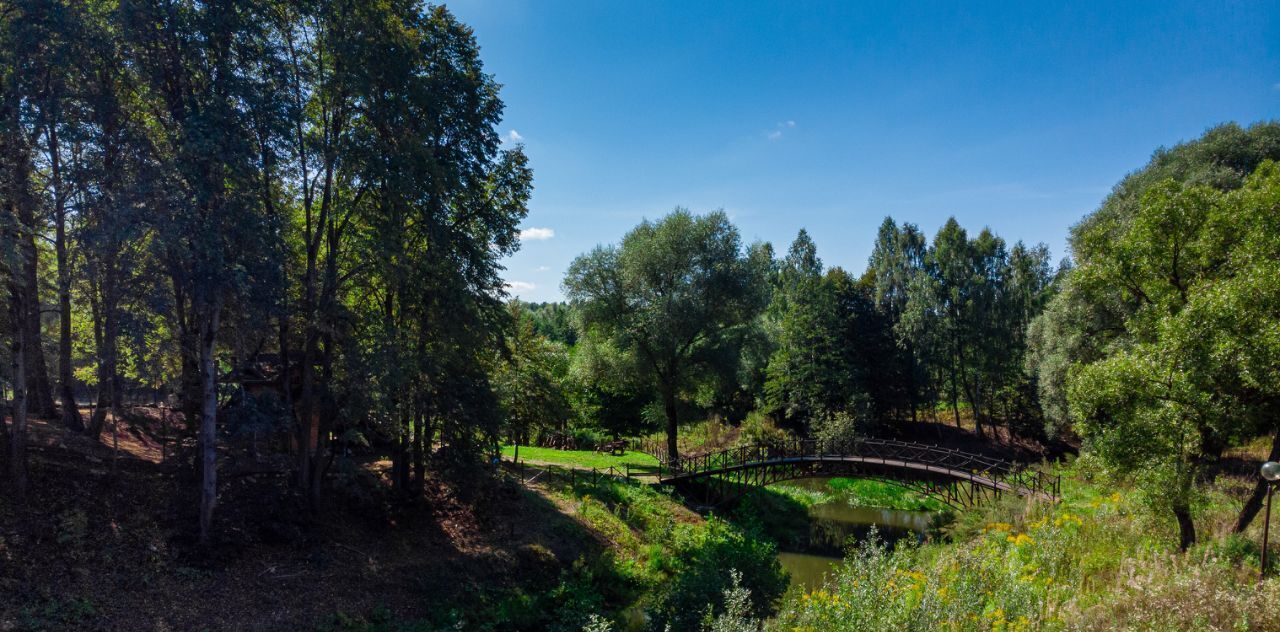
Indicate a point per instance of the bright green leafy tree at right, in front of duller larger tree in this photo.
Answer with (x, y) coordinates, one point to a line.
(1163, 391)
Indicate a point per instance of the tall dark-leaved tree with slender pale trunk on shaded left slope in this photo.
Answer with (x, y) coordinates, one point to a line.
(205, 65)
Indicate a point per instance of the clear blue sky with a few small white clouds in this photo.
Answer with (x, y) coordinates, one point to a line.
(1013, 116)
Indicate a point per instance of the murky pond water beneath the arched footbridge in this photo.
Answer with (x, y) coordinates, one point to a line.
(834, 524)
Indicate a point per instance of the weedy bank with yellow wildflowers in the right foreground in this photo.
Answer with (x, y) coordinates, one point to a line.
(1089, 564)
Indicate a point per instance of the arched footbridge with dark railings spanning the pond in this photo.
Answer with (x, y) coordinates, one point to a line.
(956, 478)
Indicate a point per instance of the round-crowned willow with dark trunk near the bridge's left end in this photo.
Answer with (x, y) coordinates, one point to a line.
(673, 294)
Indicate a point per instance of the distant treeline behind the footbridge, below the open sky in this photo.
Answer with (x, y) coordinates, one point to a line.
(929, 329)
